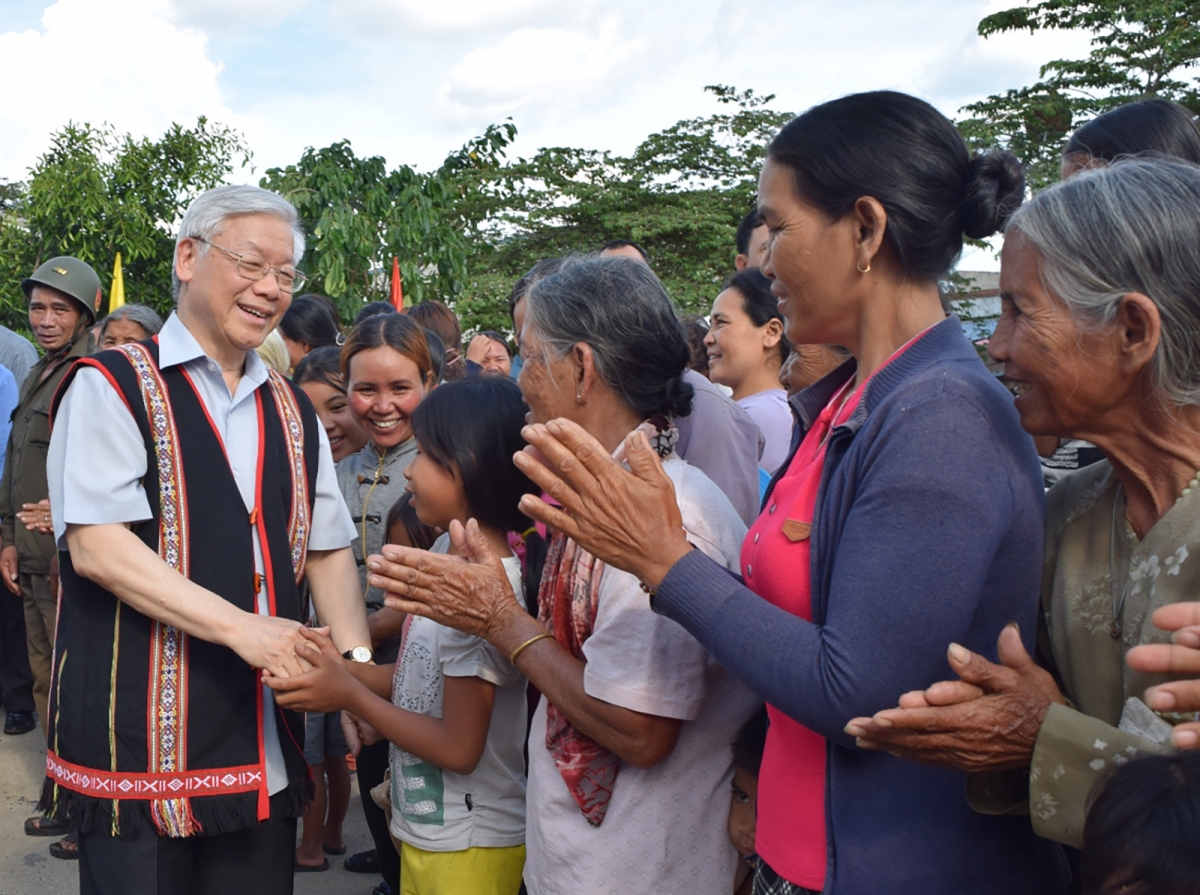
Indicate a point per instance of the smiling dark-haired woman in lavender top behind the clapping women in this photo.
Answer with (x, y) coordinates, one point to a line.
(747, 347)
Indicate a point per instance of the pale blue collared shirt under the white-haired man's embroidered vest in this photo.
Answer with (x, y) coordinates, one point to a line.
(98, 460)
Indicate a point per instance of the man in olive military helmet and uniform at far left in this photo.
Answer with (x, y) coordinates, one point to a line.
(64, 295)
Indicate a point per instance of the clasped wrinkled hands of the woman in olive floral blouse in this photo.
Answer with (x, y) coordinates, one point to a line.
(987, 720)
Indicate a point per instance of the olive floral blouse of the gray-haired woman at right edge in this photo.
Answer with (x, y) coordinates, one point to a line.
(1078, 746)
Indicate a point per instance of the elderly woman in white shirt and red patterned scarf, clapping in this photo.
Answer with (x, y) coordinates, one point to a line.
(629, 752)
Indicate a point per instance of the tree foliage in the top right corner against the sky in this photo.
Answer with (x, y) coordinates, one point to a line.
(1141, 49)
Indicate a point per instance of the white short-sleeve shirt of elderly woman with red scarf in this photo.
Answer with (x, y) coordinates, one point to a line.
(667, 827)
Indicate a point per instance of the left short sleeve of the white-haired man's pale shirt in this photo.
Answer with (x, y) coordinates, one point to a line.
(97, 460)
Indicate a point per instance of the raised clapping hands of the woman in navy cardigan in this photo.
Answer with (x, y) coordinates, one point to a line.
(628, 519)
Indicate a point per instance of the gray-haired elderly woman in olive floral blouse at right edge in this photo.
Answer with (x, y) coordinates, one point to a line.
(1101, 334)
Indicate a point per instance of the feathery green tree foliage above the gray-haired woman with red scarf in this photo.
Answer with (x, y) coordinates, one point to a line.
(680, 195)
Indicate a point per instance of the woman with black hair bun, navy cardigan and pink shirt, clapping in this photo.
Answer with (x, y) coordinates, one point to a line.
(908, 515)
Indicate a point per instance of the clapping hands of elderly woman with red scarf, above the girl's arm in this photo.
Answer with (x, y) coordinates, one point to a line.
(470, 593)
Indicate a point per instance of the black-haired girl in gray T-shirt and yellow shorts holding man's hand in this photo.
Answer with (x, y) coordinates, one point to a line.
(458, 713)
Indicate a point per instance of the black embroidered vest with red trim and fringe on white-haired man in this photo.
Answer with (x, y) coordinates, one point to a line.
(149, 724)
